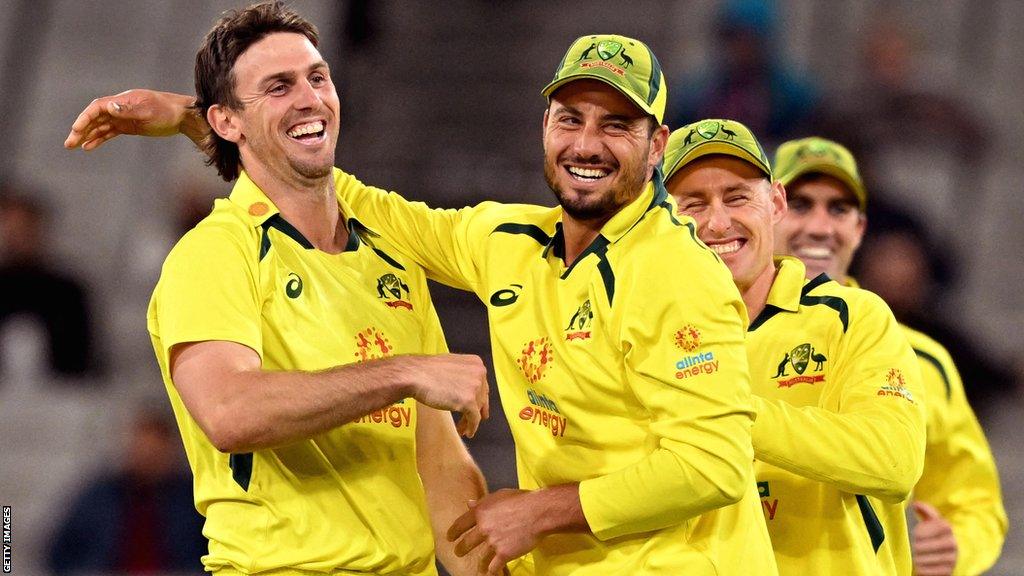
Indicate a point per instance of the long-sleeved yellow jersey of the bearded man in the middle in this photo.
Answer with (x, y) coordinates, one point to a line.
(626, 373)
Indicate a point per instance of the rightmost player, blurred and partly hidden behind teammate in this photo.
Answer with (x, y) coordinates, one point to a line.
(962, 523)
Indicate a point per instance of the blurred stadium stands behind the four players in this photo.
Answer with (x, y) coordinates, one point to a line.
(442, 102)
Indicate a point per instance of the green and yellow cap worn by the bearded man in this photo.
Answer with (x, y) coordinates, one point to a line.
(627, 65)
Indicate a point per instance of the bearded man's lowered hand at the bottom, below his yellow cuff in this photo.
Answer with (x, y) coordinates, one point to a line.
(503, 523)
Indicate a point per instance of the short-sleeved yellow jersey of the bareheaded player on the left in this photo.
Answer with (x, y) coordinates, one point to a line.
(348, 502)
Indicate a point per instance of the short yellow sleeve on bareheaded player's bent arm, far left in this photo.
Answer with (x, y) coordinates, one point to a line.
(208, 291)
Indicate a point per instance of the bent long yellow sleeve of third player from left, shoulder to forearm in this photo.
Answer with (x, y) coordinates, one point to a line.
(871, 440)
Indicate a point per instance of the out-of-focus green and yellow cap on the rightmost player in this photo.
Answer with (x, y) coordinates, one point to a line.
(820, 156)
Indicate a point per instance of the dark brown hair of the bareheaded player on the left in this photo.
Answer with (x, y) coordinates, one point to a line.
(230, 38)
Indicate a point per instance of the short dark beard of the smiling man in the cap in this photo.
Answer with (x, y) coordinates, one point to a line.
(600, 205)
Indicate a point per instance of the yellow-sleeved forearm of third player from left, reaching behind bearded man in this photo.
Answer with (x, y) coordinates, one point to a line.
(875, 452)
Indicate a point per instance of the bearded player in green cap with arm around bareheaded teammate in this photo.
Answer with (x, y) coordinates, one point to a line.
(621, 364)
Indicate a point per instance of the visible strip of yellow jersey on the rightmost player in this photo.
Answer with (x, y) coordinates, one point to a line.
(960, 477)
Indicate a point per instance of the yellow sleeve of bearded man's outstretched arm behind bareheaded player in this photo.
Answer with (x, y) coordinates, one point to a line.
(447, 243)
